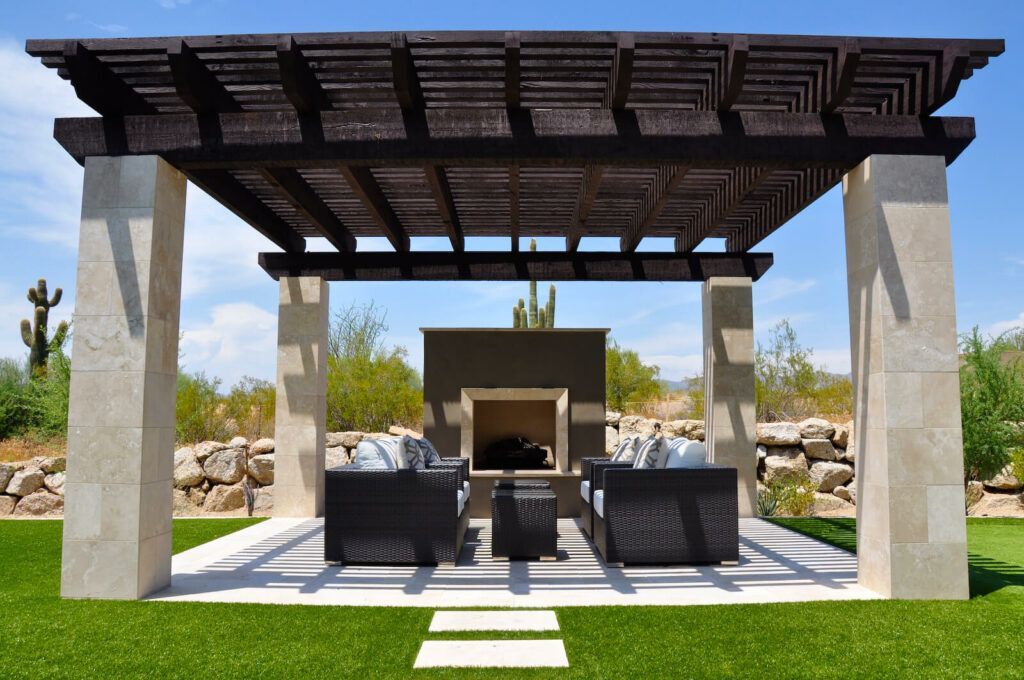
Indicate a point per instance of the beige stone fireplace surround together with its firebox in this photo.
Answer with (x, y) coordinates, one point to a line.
(493, 417)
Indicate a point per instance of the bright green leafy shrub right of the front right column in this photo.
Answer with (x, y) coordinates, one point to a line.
(992, 404)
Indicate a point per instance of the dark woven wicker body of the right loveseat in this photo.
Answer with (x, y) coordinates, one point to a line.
(666, 517)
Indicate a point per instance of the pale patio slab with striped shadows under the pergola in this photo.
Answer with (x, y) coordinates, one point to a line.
(282, 562)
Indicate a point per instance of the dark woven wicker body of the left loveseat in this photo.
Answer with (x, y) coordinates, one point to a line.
(396, 517)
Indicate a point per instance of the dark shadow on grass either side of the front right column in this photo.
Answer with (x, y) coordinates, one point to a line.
(987, 575)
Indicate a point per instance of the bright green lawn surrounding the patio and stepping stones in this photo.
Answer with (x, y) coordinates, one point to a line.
(44, 636)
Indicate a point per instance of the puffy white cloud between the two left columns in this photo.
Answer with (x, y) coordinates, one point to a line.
(238, 339)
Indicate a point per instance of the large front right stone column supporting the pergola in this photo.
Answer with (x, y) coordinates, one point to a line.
(912, 534)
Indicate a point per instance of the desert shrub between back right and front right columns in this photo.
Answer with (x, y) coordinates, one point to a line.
(789, 387)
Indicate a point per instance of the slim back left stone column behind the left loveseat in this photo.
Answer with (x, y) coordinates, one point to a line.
(302, 410)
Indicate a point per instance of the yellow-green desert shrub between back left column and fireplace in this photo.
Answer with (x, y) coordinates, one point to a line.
(370, 387)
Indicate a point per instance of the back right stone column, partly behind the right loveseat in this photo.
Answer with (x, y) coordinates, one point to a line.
(731, 428)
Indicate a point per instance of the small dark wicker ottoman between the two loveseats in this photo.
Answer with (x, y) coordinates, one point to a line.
(525, 518)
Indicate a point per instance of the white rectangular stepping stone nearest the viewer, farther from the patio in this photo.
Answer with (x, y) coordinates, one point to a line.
(492, 654)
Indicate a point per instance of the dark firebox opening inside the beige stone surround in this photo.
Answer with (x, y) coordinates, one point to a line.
(517, 435)
